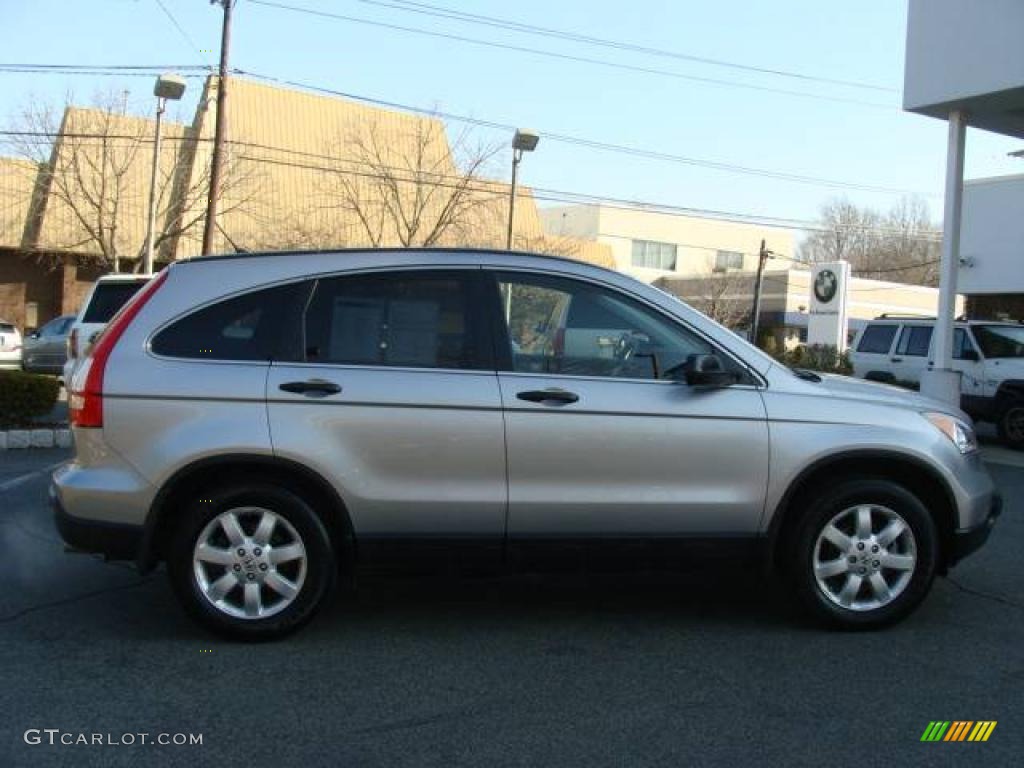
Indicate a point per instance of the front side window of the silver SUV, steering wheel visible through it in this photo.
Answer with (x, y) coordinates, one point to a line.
(568, 327)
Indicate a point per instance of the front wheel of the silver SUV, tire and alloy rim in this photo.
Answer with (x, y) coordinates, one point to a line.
(848, 595)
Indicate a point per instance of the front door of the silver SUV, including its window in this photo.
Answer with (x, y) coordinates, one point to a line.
(602, 441)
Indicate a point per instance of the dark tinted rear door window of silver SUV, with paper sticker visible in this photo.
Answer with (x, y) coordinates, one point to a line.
(421, 320)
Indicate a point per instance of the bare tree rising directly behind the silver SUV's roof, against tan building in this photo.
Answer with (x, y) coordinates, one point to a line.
(408, 188)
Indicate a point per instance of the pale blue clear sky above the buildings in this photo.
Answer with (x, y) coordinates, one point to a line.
(855, 136)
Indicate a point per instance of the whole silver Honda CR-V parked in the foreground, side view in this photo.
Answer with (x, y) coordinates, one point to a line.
(265, 423)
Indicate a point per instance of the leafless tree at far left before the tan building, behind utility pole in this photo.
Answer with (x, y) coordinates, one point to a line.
(93, 187)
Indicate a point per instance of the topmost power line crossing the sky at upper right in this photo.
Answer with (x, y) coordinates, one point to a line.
(505, 24)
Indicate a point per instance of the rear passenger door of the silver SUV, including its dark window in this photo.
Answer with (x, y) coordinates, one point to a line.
(395, 399)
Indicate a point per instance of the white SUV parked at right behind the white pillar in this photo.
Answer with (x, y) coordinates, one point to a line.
(989, 355)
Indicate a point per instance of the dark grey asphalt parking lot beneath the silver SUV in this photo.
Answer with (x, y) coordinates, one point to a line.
(710, 669)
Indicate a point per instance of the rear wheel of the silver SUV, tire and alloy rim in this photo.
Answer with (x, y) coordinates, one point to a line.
(260, 581)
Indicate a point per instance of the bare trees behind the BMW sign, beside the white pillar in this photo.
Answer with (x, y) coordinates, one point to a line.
(902, 246)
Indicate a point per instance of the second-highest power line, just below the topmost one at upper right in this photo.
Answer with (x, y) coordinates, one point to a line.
(570, 58)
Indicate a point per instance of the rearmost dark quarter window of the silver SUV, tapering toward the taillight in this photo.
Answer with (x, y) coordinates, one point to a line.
(259, 326)
